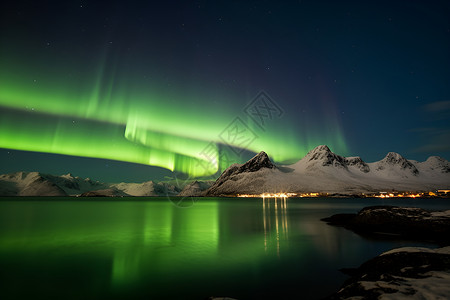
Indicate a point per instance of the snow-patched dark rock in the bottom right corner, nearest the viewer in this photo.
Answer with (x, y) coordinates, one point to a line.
(404, 273)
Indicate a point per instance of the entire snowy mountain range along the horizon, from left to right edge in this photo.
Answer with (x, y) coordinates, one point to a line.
(320, 170)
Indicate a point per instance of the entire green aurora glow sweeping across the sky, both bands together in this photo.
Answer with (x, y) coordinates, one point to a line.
(105, 115)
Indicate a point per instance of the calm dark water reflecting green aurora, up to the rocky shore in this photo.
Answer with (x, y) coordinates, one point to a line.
(150, 248)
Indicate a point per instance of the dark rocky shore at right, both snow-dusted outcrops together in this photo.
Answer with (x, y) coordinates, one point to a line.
(410, 272)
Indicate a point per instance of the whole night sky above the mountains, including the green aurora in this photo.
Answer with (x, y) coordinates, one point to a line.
(133, 90)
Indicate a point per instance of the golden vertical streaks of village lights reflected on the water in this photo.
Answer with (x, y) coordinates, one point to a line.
(281, 225)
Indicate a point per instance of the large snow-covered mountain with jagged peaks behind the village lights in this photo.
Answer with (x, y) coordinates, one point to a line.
(321, 170)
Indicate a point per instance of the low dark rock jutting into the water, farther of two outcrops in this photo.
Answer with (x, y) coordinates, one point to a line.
(397, 222)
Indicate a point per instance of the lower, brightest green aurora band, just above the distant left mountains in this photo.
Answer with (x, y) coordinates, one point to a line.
(46, 133)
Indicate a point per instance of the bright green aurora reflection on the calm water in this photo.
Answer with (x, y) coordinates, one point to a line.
(150, 241)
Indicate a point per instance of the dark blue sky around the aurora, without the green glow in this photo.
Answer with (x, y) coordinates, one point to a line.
(379, 70)
